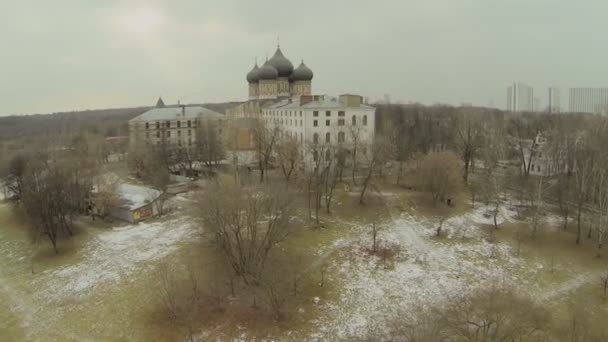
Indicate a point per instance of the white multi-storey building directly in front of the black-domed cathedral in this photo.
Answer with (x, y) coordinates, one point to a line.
(324, 121)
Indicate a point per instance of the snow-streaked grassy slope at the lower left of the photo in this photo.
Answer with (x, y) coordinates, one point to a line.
(107, 260)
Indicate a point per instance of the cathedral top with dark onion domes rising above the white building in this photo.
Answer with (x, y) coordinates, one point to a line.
(277, 79)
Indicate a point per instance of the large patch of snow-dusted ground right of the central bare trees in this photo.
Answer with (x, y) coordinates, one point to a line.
(425, 271)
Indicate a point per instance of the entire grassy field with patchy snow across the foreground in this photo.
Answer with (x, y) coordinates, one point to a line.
(104, 284)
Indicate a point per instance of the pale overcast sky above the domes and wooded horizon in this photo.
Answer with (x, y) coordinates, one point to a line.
(75, 54)
